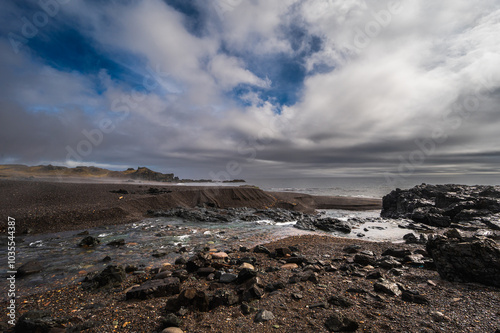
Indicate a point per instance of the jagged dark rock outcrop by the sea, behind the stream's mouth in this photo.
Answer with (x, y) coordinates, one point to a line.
(445, 205)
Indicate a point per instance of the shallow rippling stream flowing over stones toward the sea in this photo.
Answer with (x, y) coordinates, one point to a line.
(155, 241)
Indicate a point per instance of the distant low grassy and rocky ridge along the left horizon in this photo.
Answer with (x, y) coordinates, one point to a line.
(92, 172)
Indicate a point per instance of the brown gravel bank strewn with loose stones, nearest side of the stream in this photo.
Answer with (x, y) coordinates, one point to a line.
(304, 283)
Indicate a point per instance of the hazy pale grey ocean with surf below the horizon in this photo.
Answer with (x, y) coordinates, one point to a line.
(368, 187)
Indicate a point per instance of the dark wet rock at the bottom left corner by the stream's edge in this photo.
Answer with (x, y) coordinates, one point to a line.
(38, 321)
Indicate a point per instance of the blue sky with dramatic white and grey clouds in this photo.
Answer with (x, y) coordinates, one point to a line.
(253, 87)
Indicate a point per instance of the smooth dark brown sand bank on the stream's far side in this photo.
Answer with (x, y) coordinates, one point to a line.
(50, 206)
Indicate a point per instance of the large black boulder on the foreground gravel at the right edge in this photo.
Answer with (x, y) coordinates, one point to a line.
(466, 260)
